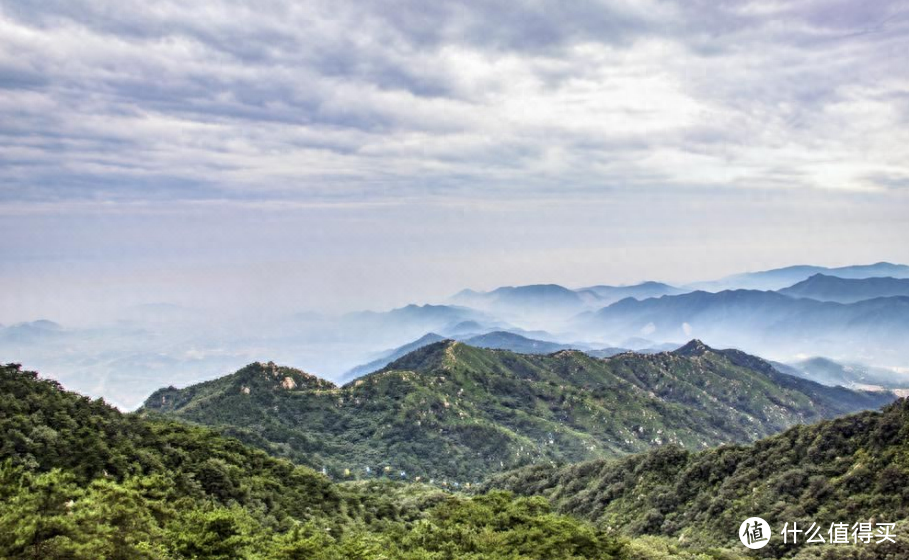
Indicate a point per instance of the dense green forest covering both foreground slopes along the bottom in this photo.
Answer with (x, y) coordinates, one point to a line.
(81, 480)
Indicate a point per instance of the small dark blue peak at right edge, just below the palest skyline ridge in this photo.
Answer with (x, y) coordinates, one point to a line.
(844, 290)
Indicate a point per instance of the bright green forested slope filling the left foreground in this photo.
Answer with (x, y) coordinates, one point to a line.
(81, 481)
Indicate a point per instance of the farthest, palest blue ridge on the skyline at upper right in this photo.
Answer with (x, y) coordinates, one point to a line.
(779, 278)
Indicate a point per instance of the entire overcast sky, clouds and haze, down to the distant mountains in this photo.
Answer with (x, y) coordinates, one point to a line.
(343, 155)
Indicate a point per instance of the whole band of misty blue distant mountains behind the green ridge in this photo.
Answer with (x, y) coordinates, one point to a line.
(159, 344)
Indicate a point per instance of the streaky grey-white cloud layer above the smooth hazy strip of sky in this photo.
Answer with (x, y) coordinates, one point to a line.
(319, 101)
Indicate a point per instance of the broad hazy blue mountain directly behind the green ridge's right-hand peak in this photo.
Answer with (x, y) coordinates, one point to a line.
(768, 322)
